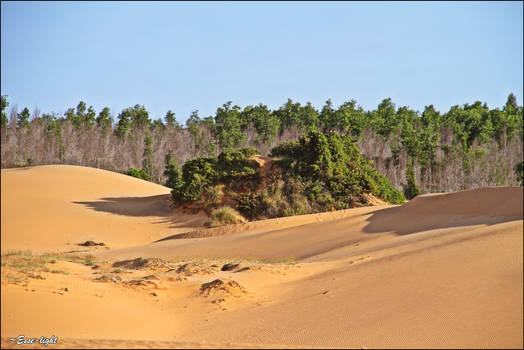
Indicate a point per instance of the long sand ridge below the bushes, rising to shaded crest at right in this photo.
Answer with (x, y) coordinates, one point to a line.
(429, 213)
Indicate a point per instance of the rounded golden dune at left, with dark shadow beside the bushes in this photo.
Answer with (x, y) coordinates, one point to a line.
(56, 206)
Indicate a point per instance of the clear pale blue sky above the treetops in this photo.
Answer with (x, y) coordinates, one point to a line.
(199, 55)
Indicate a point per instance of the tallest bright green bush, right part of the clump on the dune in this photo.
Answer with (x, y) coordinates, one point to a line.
(334, 172)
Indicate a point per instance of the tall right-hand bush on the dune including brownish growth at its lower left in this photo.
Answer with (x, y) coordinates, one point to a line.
(322, 172)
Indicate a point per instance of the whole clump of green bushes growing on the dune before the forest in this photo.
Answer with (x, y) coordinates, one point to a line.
(317, 173)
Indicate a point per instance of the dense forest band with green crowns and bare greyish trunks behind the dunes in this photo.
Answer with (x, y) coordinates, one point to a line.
(469, 146)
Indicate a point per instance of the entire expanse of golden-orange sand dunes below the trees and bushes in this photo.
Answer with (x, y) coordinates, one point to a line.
(444, 270)
